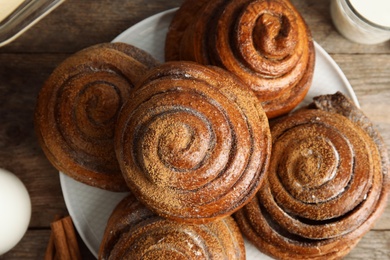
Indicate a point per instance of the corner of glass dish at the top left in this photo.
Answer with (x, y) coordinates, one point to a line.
(16, 16)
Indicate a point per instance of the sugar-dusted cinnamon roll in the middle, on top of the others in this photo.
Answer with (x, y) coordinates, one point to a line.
(194, 143)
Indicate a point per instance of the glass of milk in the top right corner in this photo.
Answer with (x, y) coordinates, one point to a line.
(362, 21)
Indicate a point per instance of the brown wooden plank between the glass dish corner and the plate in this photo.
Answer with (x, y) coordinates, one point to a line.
(77, 24)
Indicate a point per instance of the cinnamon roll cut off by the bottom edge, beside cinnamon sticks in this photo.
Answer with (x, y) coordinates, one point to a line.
(134, 232)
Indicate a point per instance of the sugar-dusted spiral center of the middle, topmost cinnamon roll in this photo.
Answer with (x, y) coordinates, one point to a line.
(174, 144)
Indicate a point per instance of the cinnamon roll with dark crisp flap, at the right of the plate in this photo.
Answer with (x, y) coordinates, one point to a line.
(327, 183)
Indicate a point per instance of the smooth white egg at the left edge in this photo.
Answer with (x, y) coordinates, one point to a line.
(15, 210)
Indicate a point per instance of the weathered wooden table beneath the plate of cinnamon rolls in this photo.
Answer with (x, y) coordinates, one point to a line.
(28, 61)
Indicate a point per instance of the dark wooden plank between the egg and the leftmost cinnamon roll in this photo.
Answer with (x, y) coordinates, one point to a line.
(21, 77)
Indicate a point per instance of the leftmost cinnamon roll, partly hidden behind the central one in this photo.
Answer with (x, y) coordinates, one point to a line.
(77, 108)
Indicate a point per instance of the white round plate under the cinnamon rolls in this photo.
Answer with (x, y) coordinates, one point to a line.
(90, 207)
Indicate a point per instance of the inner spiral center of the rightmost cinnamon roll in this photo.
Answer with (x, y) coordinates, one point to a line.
(309, 164)
